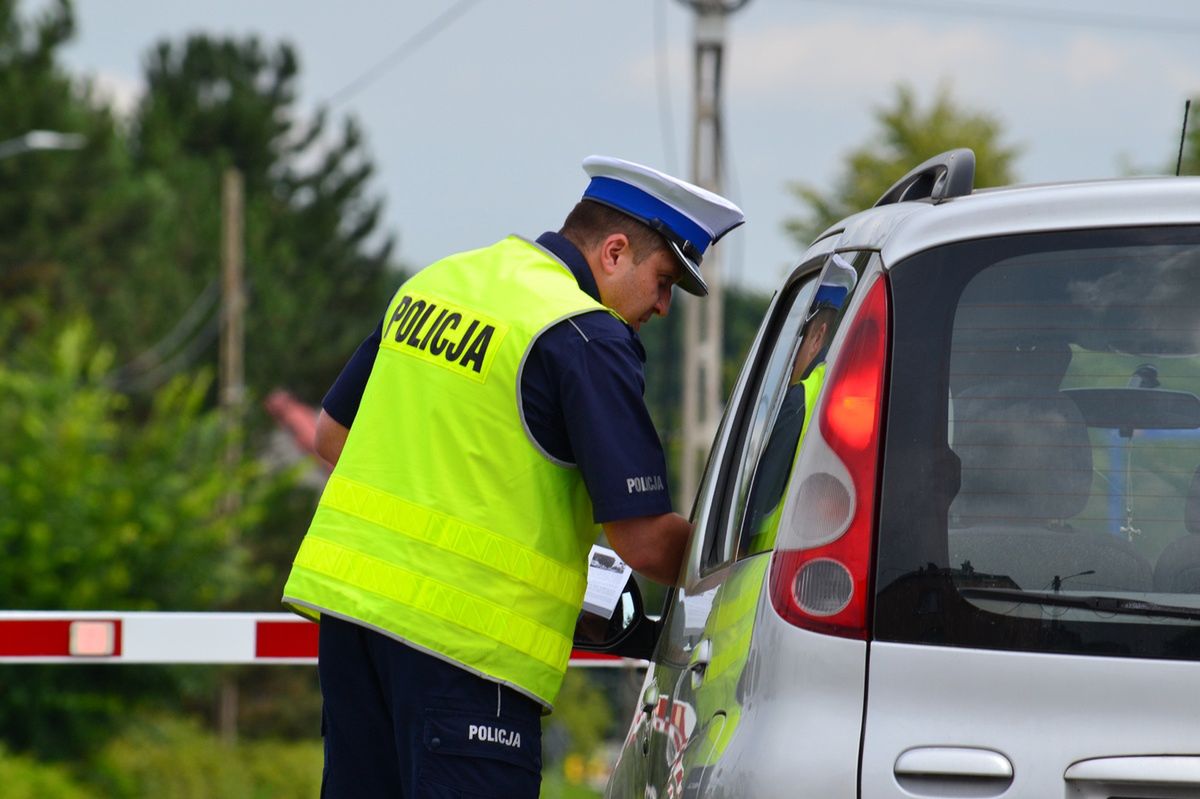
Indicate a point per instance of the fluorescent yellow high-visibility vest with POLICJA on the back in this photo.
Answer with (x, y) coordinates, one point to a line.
(445, 525)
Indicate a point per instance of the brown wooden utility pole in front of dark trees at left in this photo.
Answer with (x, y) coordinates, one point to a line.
(232, 388)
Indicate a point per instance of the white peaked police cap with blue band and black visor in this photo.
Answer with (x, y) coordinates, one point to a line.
(689, 218)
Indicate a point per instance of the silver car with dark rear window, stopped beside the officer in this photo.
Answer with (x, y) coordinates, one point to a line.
(949, 539)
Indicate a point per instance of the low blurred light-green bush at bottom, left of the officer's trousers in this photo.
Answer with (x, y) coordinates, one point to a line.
(173, 758)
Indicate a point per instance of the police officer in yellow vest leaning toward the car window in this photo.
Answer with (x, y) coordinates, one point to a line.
(483, 436)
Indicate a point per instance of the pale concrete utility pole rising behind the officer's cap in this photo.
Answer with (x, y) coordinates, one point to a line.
(704, 317)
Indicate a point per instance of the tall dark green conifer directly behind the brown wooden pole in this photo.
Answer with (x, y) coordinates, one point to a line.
(315, 254)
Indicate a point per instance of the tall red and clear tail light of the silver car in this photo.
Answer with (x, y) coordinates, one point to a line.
(820, 578)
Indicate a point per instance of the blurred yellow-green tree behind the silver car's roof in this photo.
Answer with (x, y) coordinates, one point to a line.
(908, 135)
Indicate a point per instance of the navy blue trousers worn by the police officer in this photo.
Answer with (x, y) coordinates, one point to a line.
(401, 724)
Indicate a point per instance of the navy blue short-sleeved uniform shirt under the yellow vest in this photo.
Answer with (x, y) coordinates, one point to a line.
(583, 392)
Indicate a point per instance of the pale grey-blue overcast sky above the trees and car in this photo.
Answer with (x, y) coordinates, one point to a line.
(479, 131)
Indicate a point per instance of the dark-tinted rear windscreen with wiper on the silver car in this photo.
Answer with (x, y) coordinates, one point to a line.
(1042, 458)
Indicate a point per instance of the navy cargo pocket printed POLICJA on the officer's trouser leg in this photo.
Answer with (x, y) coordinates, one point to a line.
(479, 756)
